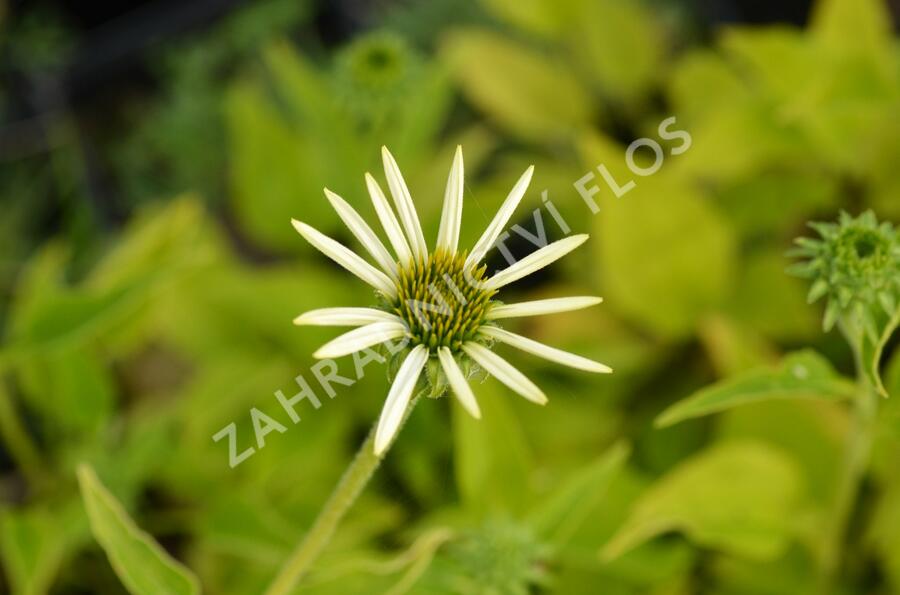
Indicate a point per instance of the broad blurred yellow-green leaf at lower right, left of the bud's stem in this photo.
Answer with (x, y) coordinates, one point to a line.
(737, 497)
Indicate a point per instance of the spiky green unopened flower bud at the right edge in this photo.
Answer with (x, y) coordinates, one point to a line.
(855, 266)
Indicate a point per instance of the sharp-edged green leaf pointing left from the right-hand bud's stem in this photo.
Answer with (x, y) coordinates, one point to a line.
(801, 375)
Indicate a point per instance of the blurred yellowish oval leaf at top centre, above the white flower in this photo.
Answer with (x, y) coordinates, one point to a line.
(527, 93)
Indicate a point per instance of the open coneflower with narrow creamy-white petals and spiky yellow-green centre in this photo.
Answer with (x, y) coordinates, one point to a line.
(441, 302)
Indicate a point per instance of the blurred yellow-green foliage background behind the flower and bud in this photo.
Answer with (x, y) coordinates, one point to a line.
(151, 158)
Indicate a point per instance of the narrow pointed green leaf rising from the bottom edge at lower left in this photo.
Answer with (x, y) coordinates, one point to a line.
(141, 564)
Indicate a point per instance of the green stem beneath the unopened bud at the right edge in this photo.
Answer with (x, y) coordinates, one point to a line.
(853, 469)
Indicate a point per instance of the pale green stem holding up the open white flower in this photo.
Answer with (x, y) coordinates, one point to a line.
(348, 489)
